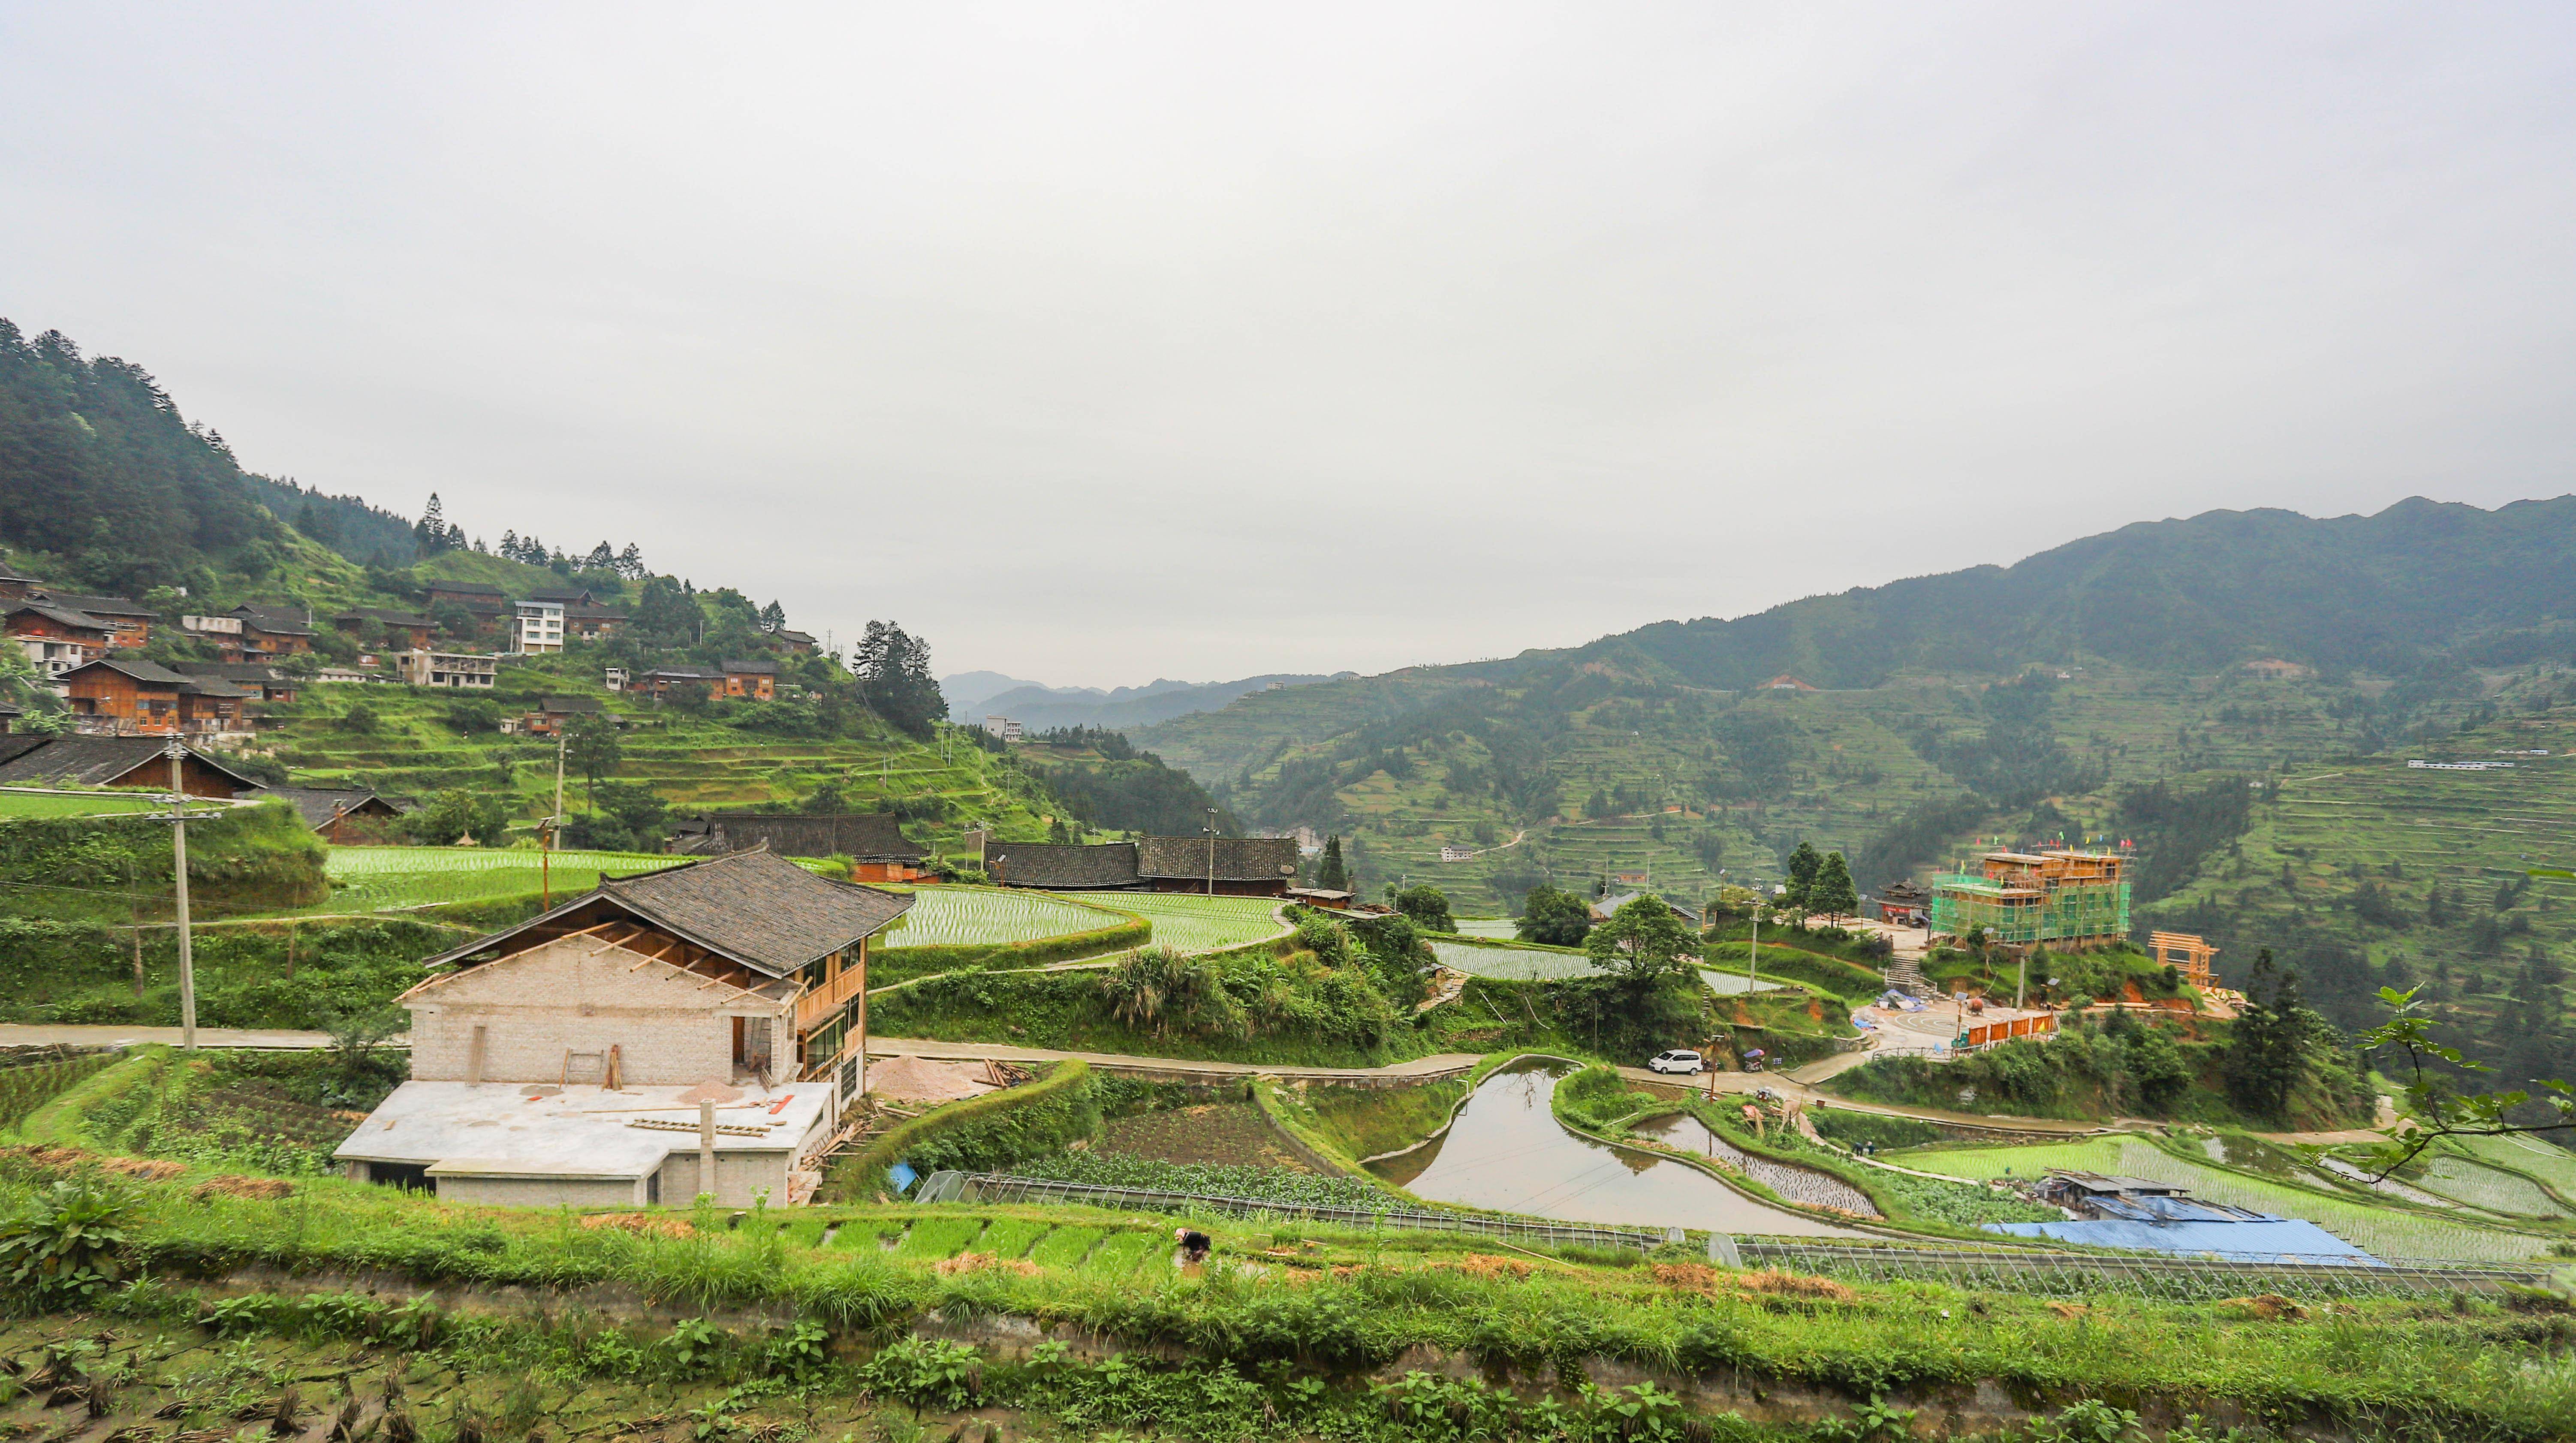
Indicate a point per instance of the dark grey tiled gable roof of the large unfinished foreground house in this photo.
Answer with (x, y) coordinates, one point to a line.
(756, 908)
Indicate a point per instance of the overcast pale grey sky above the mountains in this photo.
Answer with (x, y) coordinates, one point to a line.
(1124, 341)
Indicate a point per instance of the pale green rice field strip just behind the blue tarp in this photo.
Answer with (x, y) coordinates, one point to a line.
(2384, 1233)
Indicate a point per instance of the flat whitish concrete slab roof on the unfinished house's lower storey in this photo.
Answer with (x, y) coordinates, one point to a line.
(535, 1130)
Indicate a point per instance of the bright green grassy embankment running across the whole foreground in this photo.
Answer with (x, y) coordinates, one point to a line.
(1300, 1318)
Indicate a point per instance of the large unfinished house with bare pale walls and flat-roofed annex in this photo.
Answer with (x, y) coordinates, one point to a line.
(689, 1032)
